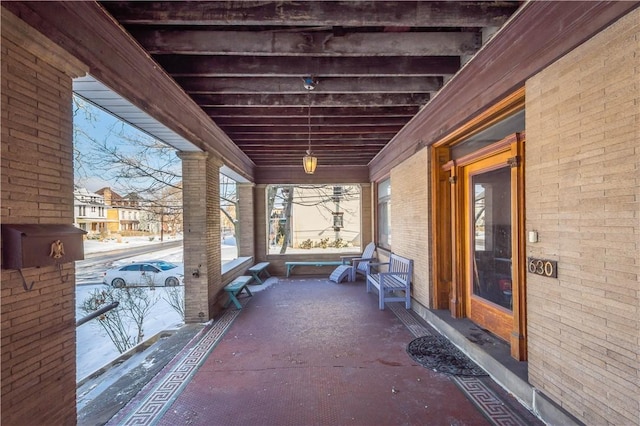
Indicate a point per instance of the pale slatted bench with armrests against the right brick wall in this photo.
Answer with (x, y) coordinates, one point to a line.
(397, 278)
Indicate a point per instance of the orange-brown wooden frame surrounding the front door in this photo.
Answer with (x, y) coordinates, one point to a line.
(447, 204)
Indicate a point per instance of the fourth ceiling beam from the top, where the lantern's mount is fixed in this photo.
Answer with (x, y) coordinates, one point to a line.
(293, 85)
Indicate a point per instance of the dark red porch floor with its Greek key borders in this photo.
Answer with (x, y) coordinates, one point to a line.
(313, 352)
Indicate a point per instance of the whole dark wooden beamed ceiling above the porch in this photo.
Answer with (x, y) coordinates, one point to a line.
(376, 63)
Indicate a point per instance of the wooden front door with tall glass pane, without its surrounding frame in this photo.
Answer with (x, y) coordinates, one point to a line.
(488, 252)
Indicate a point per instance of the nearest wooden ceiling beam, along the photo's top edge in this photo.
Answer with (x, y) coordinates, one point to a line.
(316, 13)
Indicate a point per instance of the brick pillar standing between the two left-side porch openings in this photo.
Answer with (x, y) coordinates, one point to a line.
(202, 256)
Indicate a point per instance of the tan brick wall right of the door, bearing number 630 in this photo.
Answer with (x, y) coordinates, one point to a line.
(582, 196)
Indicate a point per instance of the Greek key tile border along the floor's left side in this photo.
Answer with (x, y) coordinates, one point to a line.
(158, 399)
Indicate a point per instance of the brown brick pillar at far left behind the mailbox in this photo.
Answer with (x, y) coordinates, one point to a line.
(38, 326)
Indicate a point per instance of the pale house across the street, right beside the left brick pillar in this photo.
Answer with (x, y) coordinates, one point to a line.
(90, 211)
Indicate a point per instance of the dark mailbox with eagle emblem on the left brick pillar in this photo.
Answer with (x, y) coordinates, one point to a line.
(36, 245)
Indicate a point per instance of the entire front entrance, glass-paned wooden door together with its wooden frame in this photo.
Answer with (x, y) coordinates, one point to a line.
(479, 264)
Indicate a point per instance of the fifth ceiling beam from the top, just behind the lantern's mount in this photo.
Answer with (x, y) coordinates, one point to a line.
(316, 99)
